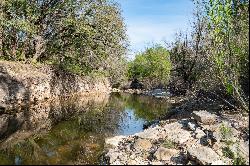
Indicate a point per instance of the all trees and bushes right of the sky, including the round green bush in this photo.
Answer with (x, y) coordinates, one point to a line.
(213, 57)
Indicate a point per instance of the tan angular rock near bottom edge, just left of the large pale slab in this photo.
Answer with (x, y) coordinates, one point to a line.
(165, 153)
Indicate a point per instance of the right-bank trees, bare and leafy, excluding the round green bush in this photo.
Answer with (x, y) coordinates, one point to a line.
(215, 56)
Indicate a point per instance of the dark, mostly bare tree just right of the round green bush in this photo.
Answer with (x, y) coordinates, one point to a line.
(188, 52)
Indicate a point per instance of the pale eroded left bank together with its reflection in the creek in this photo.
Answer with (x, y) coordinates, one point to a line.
(31, 96)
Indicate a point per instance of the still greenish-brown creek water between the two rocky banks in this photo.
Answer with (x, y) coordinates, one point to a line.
(78, 137)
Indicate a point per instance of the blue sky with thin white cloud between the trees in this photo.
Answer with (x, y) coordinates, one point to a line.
(154, 21)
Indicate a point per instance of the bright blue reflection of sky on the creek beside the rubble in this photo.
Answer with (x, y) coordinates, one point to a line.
(129, 123)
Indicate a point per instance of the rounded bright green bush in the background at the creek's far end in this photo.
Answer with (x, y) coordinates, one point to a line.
(151, 67)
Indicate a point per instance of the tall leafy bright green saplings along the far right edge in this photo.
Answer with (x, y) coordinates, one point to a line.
(229, 46)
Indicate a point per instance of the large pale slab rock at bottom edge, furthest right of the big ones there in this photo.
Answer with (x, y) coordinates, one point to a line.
(202, 154)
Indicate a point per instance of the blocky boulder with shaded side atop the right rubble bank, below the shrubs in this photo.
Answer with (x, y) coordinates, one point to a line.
(204, 117)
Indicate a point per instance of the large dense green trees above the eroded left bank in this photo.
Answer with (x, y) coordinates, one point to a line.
(80, 36)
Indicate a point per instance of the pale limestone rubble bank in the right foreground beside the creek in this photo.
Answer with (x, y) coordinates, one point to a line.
(203, 138)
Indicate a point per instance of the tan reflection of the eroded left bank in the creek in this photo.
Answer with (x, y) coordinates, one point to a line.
(47, 114)
